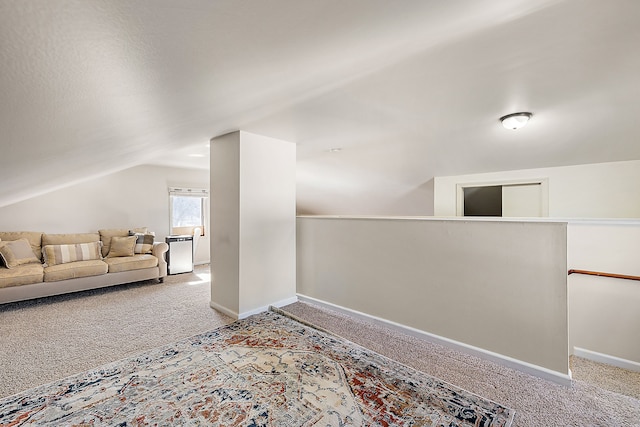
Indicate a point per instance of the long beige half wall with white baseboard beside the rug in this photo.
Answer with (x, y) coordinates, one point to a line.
(496, 288)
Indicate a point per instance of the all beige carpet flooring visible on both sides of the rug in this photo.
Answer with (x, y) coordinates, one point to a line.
(52, 338)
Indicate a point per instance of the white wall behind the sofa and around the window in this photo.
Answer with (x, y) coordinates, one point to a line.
(134, 197)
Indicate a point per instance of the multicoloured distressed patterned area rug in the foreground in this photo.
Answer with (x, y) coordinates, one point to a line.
(267, 370)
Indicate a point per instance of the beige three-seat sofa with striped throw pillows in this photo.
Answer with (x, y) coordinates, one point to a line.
(63, 263)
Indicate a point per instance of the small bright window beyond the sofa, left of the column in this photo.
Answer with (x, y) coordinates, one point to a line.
(187, 209)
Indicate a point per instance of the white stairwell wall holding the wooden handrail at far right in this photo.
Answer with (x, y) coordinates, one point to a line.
(603, 312)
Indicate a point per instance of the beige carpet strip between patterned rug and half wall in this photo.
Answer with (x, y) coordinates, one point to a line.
(537, 402)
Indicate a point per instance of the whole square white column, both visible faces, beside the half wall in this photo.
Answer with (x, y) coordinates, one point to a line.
(253, 189)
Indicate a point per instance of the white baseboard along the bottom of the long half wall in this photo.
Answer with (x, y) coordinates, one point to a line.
(522, 366)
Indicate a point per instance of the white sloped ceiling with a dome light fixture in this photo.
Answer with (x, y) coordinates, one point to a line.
(408, 89)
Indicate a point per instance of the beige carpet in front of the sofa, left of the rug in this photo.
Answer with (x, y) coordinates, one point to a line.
(51, 338)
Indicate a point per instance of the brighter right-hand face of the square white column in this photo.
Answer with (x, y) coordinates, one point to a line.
(268, 221)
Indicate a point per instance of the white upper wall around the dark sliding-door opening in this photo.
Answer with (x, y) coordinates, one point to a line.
(602, 190)
